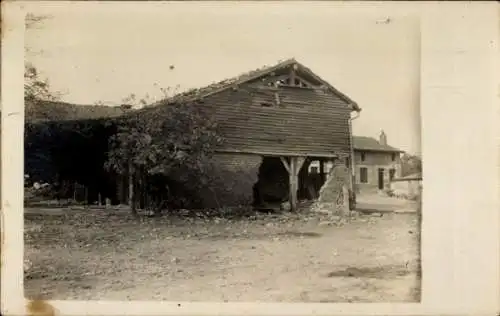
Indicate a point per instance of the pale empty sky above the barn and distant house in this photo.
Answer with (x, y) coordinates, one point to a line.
(105, 51)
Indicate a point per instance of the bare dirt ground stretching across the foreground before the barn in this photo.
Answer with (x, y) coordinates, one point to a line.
(107, 255)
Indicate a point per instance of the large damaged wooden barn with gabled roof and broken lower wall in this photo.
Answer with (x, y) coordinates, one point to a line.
(275, 122)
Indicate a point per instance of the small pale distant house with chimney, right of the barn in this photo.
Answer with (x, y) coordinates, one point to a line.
(376, 163)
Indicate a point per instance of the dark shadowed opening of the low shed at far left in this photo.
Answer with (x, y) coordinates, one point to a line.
(70, 151)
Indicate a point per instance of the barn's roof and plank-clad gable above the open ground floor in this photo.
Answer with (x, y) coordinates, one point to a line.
(254, 116)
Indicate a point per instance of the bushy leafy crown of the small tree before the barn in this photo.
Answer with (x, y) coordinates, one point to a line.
(174, 140)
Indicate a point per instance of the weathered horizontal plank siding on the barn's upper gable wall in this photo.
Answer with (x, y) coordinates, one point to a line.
(306, 122)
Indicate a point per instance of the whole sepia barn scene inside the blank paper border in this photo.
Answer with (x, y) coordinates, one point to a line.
(224, 152)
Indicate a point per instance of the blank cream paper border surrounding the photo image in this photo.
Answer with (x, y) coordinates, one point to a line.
(459, 95)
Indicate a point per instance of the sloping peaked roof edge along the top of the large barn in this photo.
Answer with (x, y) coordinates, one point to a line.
(200, 93)
